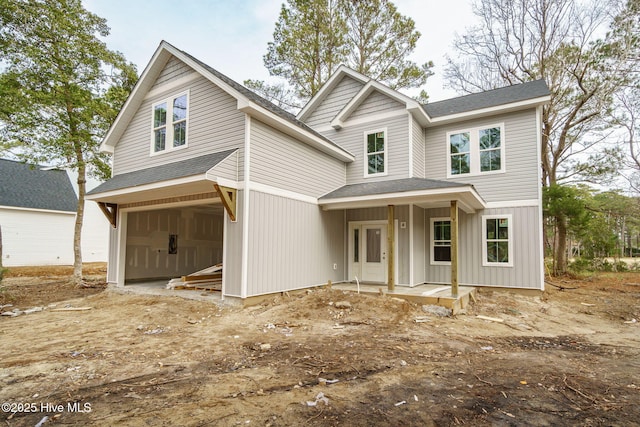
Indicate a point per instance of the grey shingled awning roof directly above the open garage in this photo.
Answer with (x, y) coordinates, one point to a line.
(181, 169)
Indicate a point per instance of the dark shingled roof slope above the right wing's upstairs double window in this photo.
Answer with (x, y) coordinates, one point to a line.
(488, 99)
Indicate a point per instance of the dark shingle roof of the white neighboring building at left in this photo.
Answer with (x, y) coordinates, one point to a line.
(35, 187)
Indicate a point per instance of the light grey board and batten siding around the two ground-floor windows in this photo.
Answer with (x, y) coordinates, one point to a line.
(526, 270)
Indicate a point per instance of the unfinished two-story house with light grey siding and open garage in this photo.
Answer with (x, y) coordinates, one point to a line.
(364, 182)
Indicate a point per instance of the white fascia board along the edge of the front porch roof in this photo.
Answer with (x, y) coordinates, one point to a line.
(469, 199)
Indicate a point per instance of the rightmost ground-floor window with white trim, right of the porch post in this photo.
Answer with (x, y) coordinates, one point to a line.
(497, 240)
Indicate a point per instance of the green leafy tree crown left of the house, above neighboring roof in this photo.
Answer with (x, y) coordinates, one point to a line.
(61, 87)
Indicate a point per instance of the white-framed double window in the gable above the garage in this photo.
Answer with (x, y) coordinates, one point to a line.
(170, 123)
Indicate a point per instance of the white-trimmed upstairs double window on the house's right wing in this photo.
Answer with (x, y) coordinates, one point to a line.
(476, 151)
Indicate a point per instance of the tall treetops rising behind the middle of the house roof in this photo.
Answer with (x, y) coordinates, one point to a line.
(312, 38)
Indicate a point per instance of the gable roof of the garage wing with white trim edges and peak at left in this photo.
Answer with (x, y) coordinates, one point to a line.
(248, 102)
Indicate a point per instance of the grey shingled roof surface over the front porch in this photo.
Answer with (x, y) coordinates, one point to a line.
(388, 187)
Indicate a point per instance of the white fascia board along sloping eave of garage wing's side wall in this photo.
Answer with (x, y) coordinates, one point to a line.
(272, 119)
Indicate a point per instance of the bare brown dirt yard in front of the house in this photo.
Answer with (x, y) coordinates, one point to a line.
(567, 357)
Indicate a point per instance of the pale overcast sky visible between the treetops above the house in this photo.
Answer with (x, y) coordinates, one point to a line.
(232, 36)
